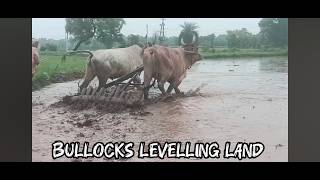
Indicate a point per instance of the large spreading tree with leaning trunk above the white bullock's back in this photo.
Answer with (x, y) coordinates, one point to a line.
(106, 30)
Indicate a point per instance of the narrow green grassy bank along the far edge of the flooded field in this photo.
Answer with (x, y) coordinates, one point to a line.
(239, 53)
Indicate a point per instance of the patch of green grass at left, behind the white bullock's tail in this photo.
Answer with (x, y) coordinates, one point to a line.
(51, 70)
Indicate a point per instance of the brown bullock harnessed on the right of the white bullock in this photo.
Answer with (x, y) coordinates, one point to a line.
(167, 65)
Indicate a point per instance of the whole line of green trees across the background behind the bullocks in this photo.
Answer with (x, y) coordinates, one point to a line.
(100, 33)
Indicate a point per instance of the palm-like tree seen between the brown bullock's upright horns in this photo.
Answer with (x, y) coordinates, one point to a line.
(188, 32)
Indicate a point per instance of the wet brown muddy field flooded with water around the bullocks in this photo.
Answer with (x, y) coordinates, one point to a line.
(240, 100)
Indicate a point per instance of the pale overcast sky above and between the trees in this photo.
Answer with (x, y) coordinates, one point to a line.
(53, 28)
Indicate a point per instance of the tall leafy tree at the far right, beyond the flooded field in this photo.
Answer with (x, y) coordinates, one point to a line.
(274, 31)
